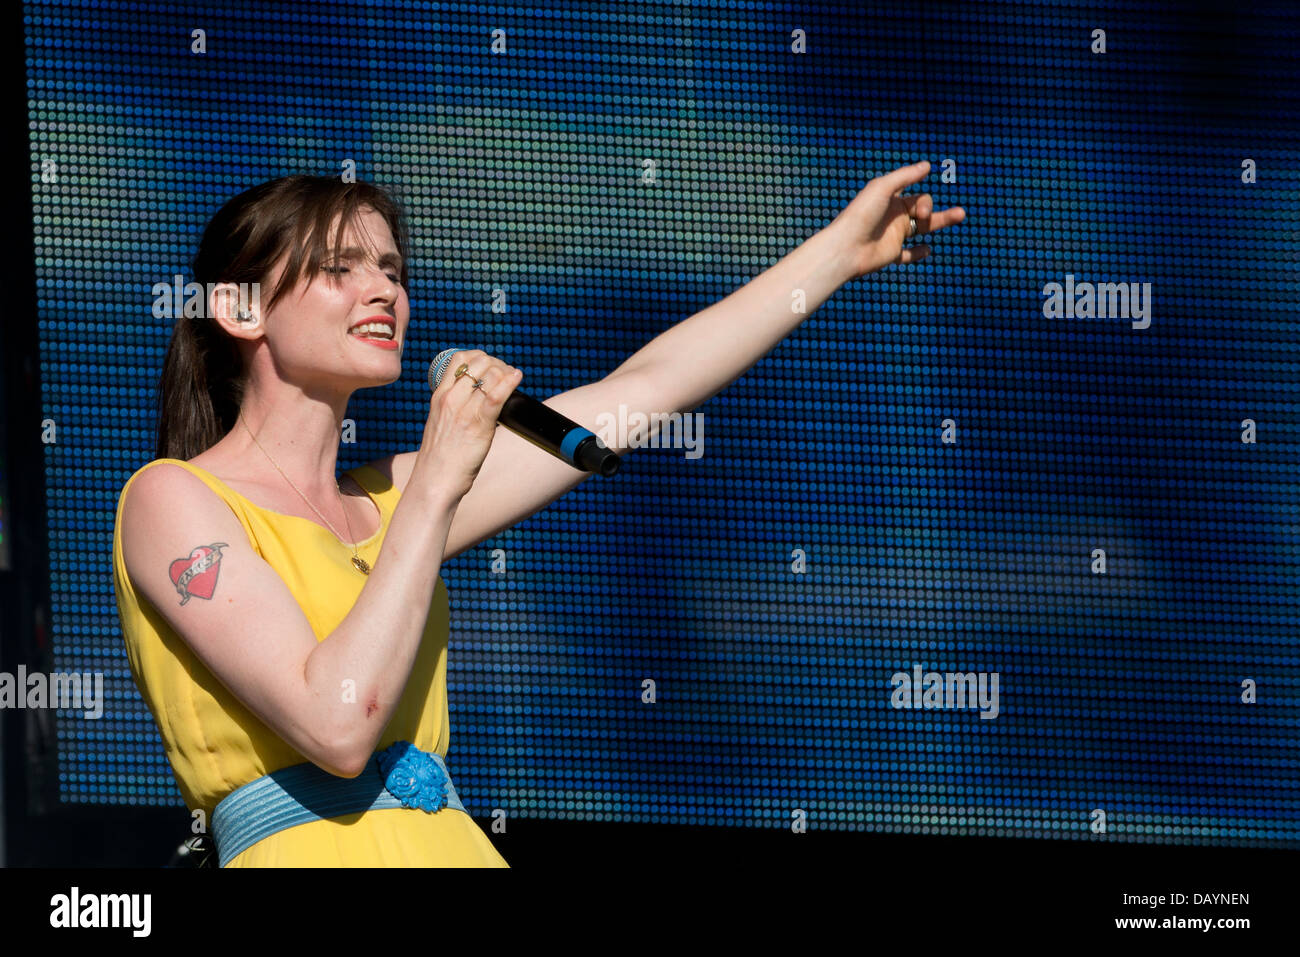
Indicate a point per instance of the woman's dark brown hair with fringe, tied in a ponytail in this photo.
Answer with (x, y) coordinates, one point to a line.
(203, 379)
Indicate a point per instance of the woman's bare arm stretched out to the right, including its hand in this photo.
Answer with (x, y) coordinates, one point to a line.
(700, 357)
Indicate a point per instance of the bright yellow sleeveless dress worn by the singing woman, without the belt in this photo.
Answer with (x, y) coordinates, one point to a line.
(215, 744)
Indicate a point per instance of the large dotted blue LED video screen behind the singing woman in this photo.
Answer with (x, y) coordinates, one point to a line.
(523, 172)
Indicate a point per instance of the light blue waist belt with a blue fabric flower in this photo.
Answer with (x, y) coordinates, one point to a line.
(398, 777)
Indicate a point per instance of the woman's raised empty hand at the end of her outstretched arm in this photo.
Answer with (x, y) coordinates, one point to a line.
(874, 226)
